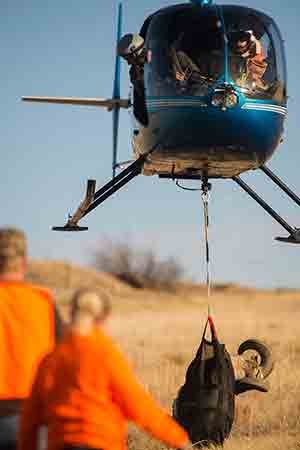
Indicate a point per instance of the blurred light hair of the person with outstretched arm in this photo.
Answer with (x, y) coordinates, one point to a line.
(87, 301)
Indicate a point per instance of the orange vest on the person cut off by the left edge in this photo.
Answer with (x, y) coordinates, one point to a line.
(26, 335)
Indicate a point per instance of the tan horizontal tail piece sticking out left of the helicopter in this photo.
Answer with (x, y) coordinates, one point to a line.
(109, 103)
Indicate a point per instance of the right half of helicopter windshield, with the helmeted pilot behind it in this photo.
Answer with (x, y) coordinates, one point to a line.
(255, 57)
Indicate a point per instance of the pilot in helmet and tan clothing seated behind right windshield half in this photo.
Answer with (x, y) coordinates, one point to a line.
(248, 47)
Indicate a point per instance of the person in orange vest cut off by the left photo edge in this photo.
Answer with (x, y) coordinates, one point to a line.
(29, 325)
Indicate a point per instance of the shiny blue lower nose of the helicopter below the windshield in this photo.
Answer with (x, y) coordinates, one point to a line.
(214, 132)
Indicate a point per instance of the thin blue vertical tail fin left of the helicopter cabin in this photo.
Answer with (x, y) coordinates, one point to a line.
(116, 95)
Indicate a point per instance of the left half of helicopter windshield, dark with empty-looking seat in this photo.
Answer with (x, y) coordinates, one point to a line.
(186, 52)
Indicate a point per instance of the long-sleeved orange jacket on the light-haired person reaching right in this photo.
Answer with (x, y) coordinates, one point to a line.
(86, 392)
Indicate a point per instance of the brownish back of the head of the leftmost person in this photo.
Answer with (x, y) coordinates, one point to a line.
(13, 248)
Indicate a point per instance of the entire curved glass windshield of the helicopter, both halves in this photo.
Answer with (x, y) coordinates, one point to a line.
(190, 51)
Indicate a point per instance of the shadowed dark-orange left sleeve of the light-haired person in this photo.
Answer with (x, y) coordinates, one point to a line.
(32, 415)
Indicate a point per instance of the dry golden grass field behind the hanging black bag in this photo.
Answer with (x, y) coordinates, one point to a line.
(160, 333)
